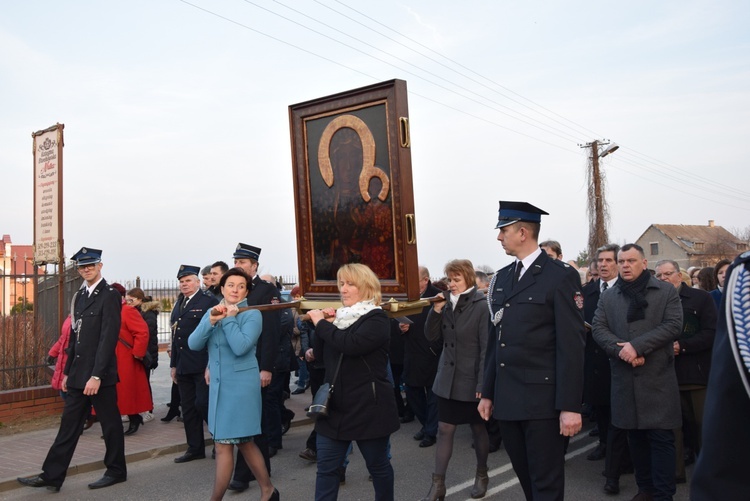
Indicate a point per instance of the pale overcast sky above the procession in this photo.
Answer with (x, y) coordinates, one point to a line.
(177, 133)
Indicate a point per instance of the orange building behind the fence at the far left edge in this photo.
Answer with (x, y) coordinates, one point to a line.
(16, 274)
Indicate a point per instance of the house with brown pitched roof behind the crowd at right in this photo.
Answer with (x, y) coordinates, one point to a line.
(690, 245)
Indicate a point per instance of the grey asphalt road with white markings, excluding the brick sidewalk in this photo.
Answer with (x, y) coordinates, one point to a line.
(161, 479)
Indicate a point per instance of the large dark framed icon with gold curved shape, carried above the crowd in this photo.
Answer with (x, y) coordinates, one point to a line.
(353, 189)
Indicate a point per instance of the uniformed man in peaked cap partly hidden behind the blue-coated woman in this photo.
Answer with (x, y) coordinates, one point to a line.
(262, 292)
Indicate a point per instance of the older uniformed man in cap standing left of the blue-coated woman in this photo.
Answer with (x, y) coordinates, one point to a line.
(188, 367)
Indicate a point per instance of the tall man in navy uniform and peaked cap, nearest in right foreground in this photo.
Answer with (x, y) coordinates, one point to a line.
(533, 378)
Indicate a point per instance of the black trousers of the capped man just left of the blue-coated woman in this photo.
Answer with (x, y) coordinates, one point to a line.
(194, 403)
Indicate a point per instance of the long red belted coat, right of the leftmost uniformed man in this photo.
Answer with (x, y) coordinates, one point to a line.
(133, 392)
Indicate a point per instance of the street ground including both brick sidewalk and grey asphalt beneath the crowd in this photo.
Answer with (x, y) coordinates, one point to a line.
(152, 474)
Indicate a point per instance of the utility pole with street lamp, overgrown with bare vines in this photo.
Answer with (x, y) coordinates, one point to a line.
(596, 207)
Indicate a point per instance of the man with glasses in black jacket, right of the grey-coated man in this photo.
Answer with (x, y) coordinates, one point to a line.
(692, 362)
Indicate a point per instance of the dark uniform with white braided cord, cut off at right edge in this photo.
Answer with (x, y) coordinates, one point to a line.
(721, 469)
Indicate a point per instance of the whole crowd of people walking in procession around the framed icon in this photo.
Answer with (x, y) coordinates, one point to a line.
(523, 356)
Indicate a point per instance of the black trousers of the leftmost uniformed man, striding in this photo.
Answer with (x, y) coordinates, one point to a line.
(76, 409)
